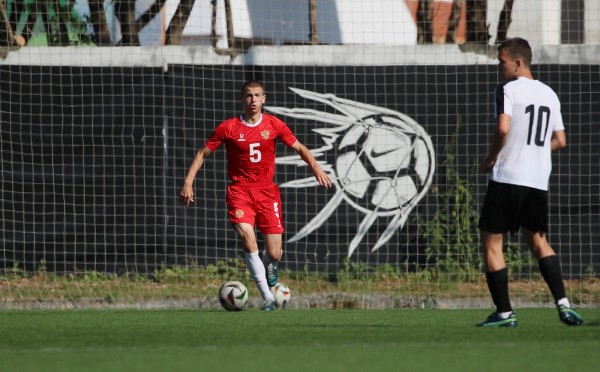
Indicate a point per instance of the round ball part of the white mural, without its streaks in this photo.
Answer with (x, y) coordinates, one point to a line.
(383, 165)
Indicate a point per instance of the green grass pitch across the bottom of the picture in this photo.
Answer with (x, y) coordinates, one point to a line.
(293, 340)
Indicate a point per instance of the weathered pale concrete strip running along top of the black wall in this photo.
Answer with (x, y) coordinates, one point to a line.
(322, 55)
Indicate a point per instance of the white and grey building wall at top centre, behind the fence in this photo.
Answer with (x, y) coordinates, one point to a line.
(385, 22)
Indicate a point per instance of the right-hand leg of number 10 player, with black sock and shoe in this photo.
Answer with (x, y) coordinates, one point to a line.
(551, 272)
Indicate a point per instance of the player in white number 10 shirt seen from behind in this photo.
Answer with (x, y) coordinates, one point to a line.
(529, 127)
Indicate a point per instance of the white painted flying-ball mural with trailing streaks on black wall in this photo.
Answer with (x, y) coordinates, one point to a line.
(384, 162)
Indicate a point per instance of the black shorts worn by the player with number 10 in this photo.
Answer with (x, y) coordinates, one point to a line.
(508, 207)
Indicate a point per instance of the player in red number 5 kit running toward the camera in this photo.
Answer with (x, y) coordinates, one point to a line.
(253, 199)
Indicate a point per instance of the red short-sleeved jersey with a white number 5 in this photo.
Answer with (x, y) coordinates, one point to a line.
(251, 147)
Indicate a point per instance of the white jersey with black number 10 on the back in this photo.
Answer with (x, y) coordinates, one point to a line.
(535, 114)
